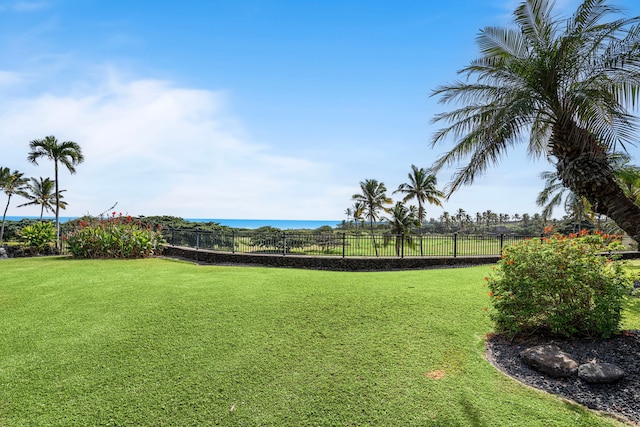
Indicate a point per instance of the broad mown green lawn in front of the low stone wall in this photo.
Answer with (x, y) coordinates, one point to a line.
(165, 343)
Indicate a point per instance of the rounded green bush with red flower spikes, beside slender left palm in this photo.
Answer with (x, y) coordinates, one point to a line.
(115, 236)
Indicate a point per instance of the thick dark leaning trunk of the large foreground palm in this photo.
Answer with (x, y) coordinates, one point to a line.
(584, 168)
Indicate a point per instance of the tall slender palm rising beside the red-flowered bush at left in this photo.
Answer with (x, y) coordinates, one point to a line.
(67, 153)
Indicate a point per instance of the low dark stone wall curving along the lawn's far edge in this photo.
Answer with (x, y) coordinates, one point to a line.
(323, 262)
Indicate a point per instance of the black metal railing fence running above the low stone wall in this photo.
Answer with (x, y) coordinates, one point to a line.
(342, 244)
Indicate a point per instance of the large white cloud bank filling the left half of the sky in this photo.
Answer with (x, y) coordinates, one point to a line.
(158, 149)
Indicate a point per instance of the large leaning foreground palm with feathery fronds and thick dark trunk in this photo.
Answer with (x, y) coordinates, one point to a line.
(563, 85)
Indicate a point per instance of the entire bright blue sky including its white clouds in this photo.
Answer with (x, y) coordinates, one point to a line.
(270, 109)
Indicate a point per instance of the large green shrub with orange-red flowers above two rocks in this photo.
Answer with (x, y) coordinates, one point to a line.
(567, 286)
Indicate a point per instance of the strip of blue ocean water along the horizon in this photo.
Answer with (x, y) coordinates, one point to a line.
(283, 224)
